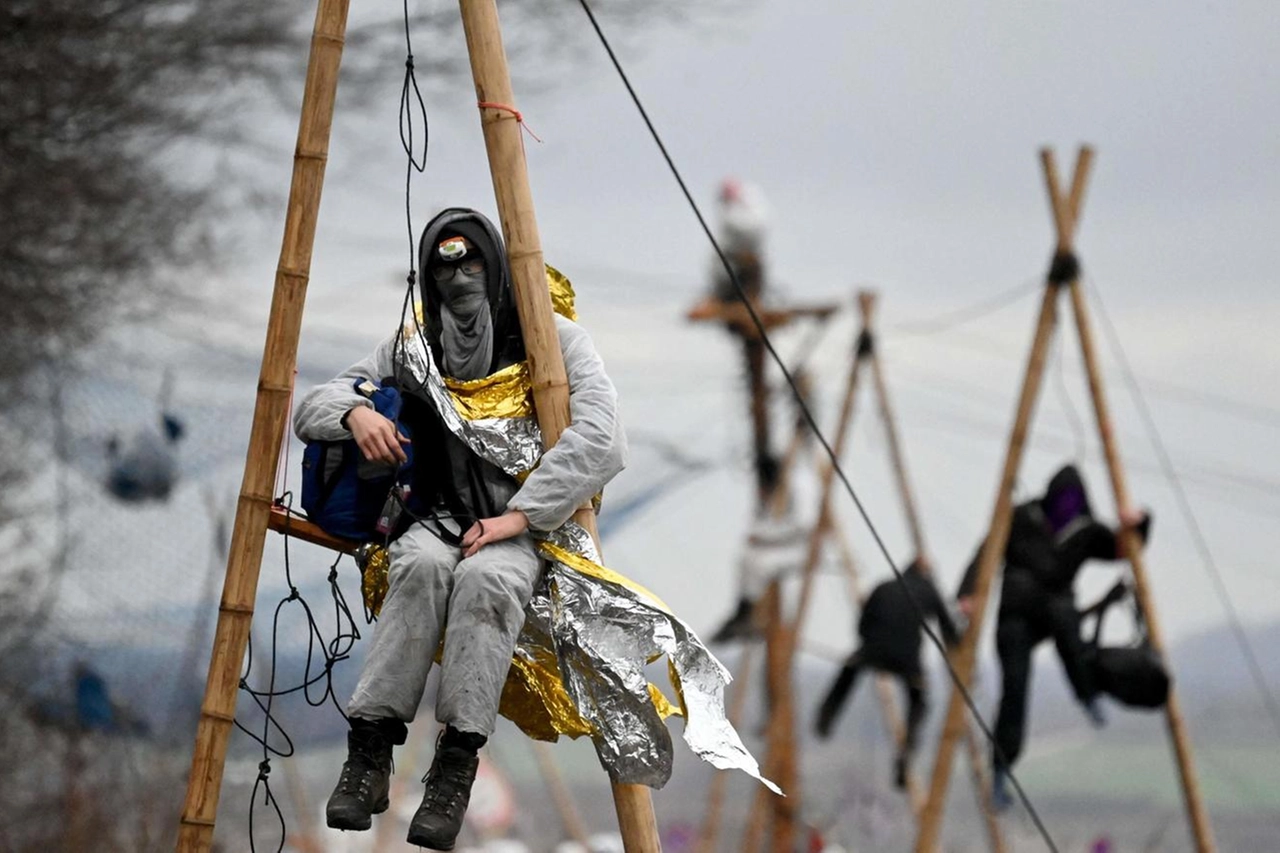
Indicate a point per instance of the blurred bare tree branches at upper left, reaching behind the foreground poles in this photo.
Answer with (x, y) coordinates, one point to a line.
(107, 108)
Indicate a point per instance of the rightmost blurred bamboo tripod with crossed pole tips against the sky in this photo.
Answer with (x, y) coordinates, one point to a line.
(1063, 273)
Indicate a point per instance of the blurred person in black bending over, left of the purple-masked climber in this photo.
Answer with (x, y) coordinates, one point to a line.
(890, 632)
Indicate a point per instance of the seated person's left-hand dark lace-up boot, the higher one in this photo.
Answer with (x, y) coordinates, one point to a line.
(365, 782)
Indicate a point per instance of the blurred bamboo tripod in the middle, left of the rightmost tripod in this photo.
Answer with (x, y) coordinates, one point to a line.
(783, 640)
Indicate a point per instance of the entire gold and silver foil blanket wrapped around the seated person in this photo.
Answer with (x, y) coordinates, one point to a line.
(591, 633)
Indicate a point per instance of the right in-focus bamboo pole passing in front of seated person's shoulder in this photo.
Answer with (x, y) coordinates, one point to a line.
(508, 167)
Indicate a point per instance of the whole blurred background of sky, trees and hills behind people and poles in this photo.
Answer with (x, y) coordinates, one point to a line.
(145, 157)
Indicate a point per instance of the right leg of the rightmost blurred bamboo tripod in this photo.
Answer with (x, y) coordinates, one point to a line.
(1132, 549)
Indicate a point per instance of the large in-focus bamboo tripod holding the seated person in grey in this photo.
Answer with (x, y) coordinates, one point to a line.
(501, 125)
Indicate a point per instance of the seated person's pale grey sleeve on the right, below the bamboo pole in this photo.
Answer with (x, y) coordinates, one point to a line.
(591, 453)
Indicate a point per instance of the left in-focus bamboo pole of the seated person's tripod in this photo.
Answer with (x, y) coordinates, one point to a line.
(271, 413)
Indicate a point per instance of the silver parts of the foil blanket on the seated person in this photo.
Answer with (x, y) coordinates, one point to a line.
(602, 630)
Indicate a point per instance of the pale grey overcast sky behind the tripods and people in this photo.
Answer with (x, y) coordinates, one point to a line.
(898, 148)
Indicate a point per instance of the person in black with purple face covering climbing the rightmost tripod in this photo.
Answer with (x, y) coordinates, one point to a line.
(1049, 541)
